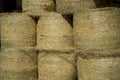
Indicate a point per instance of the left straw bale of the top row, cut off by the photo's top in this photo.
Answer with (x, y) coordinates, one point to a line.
(37, 7)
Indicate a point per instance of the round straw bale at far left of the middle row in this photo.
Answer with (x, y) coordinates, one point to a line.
(17, 30)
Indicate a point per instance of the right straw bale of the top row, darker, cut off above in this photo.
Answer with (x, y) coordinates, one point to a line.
(71, 6)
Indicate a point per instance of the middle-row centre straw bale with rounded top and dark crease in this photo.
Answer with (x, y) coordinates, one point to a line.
(54, 33)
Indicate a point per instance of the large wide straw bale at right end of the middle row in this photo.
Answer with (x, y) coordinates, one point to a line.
(97, 29)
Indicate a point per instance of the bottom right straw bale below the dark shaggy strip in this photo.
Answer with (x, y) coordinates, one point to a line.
(98, 68)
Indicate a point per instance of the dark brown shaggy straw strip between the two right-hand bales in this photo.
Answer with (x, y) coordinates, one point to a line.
(98, 54)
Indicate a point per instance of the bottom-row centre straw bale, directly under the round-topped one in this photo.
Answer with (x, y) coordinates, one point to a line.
(56, 66)
